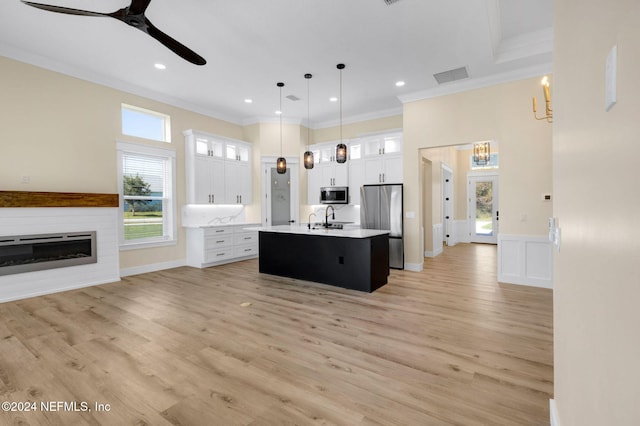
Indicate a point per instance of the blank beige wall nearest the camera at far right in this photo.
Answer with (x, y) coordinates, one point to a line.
(597, 271)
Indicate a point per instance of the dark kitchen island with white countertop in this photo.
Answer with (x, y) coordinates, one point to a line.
(356, 259)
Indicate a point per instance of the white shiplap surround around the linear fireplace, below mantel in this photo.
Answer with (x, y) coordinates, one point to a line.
(21, 221)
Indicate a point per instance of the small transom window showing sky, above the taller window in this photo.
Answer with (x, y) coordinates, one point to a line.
(144, 123)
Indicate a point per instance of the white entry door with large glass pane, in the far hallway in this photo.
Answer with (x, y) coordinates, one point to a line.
(483, 209)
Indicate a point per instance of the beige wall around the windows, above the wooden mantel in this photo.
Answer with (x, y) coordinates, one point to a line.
(62, 132)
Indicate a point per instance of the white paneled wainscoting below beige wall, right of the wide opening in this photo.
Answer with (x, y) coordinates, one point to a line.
(526, 260)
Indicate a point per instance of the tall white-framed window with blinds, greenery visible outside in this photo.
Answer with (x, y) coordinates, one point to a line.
(146, 185)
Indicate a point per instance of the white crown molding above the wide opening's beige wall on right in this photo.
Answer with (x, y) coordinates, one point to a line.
(477, 83)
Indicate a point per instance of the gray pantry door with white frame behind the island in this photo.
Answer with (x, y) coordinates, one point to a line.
(280, 192)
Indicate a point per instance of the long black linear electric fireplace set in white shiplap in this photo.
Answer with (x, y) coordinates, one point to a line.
(28, 253)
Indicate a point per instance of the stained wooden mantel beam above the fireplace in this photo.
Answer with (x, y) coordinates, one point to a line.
(56, 199)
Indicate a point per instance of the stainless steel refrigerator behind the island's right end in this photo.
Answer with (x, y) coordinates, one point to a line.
(381, 208)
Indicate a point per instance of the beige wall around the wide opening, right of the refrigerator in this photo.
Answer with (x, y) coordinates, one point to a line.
(501, 113)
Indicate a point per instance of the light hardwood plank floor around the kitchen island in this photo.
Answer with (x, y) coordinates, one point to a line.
(447, 346)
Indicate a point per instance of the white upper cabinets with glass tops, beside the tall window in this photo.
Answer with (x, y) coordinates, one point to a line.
(218, 169)
